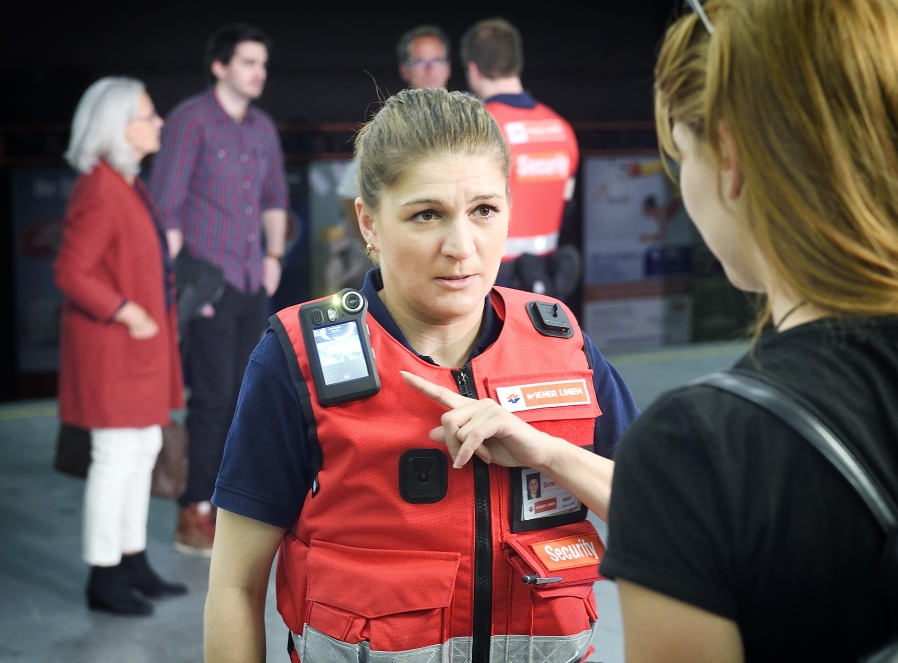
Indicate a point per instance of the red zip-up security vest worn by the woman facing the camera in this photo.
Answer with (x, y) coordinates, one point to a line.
(364, 574)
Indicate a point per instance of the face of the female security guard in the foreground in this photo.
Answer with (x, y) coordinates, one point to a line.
(439, 234)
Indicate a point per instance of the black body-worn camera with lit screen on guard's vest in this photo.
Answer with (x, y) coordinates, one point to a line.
(339, 350)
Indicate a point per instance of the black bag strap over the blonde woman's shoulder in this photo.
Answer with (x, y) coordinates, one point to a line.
(791, 409)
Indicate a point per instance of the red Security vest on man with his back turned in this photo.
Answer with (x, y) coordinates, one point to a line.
(545, 155)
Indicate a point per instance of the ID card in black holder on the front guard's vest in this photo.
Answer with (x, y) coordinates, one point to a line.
(538, 502)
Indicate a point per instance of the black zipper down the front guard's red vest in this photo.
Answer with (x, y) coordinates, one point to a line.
(483, 545)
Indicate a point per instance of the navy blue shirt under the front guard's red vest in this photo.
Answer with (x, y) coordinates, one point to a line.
(266, 470)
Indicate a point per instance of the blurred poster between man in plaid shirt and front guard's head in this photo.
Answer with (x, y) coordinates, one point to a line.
(337, 253)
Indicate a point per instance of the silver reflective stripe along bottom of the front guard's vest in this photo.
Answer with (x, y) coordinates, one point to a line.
(316, 647)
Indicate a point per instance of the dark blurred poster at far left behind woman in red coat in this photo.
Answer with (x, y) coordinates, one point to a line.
(39, 199)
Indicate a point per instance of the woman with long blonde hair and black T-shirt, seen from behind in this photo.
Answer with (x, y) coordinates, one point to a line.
(731, 537)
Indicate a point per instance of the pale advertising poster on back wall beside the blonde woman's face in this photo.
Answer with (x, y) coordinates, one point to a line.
(638, 243)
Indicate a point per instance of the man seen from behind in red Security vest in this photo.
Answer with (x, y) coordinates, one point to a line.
(545, 154)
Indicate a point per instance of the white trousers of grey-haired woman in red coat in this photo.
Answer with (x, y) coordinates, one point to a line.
(117, 493)
